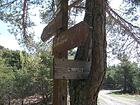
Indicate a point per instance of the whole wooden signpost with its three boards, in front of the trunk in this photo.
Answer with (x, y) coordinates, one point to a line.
(64, 40)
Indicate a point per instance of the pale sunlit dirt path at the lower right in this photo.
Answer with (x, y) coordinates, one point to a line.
(106, 99)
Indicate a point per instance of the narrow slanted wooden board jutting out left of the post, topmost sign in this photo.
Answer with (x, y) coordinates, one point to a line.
(52, 27)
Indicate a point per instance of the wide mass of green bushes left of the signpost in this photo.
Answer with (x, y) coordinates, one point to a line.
(32, 77)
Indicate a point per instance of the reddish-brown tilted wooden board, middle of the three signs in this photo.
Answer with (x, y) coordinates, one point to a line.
(71, 38)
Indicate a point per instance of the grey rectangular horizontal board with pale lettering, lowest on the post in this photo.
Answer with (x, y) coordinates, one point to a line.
(70, 69)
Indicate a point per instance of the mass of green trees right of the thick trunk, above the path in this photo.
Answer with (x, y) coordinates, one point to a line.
(125, 76)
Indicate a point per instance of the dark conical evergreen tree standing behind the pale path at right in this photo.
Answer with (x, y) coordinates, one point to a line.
(127, 72)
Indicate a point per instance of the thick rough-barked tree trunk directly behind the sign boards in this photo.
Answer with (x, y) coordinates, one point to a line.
(85, 92)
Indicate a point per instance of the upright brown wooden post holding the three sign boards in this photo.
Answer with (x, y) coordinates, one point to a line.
(60, 86)
